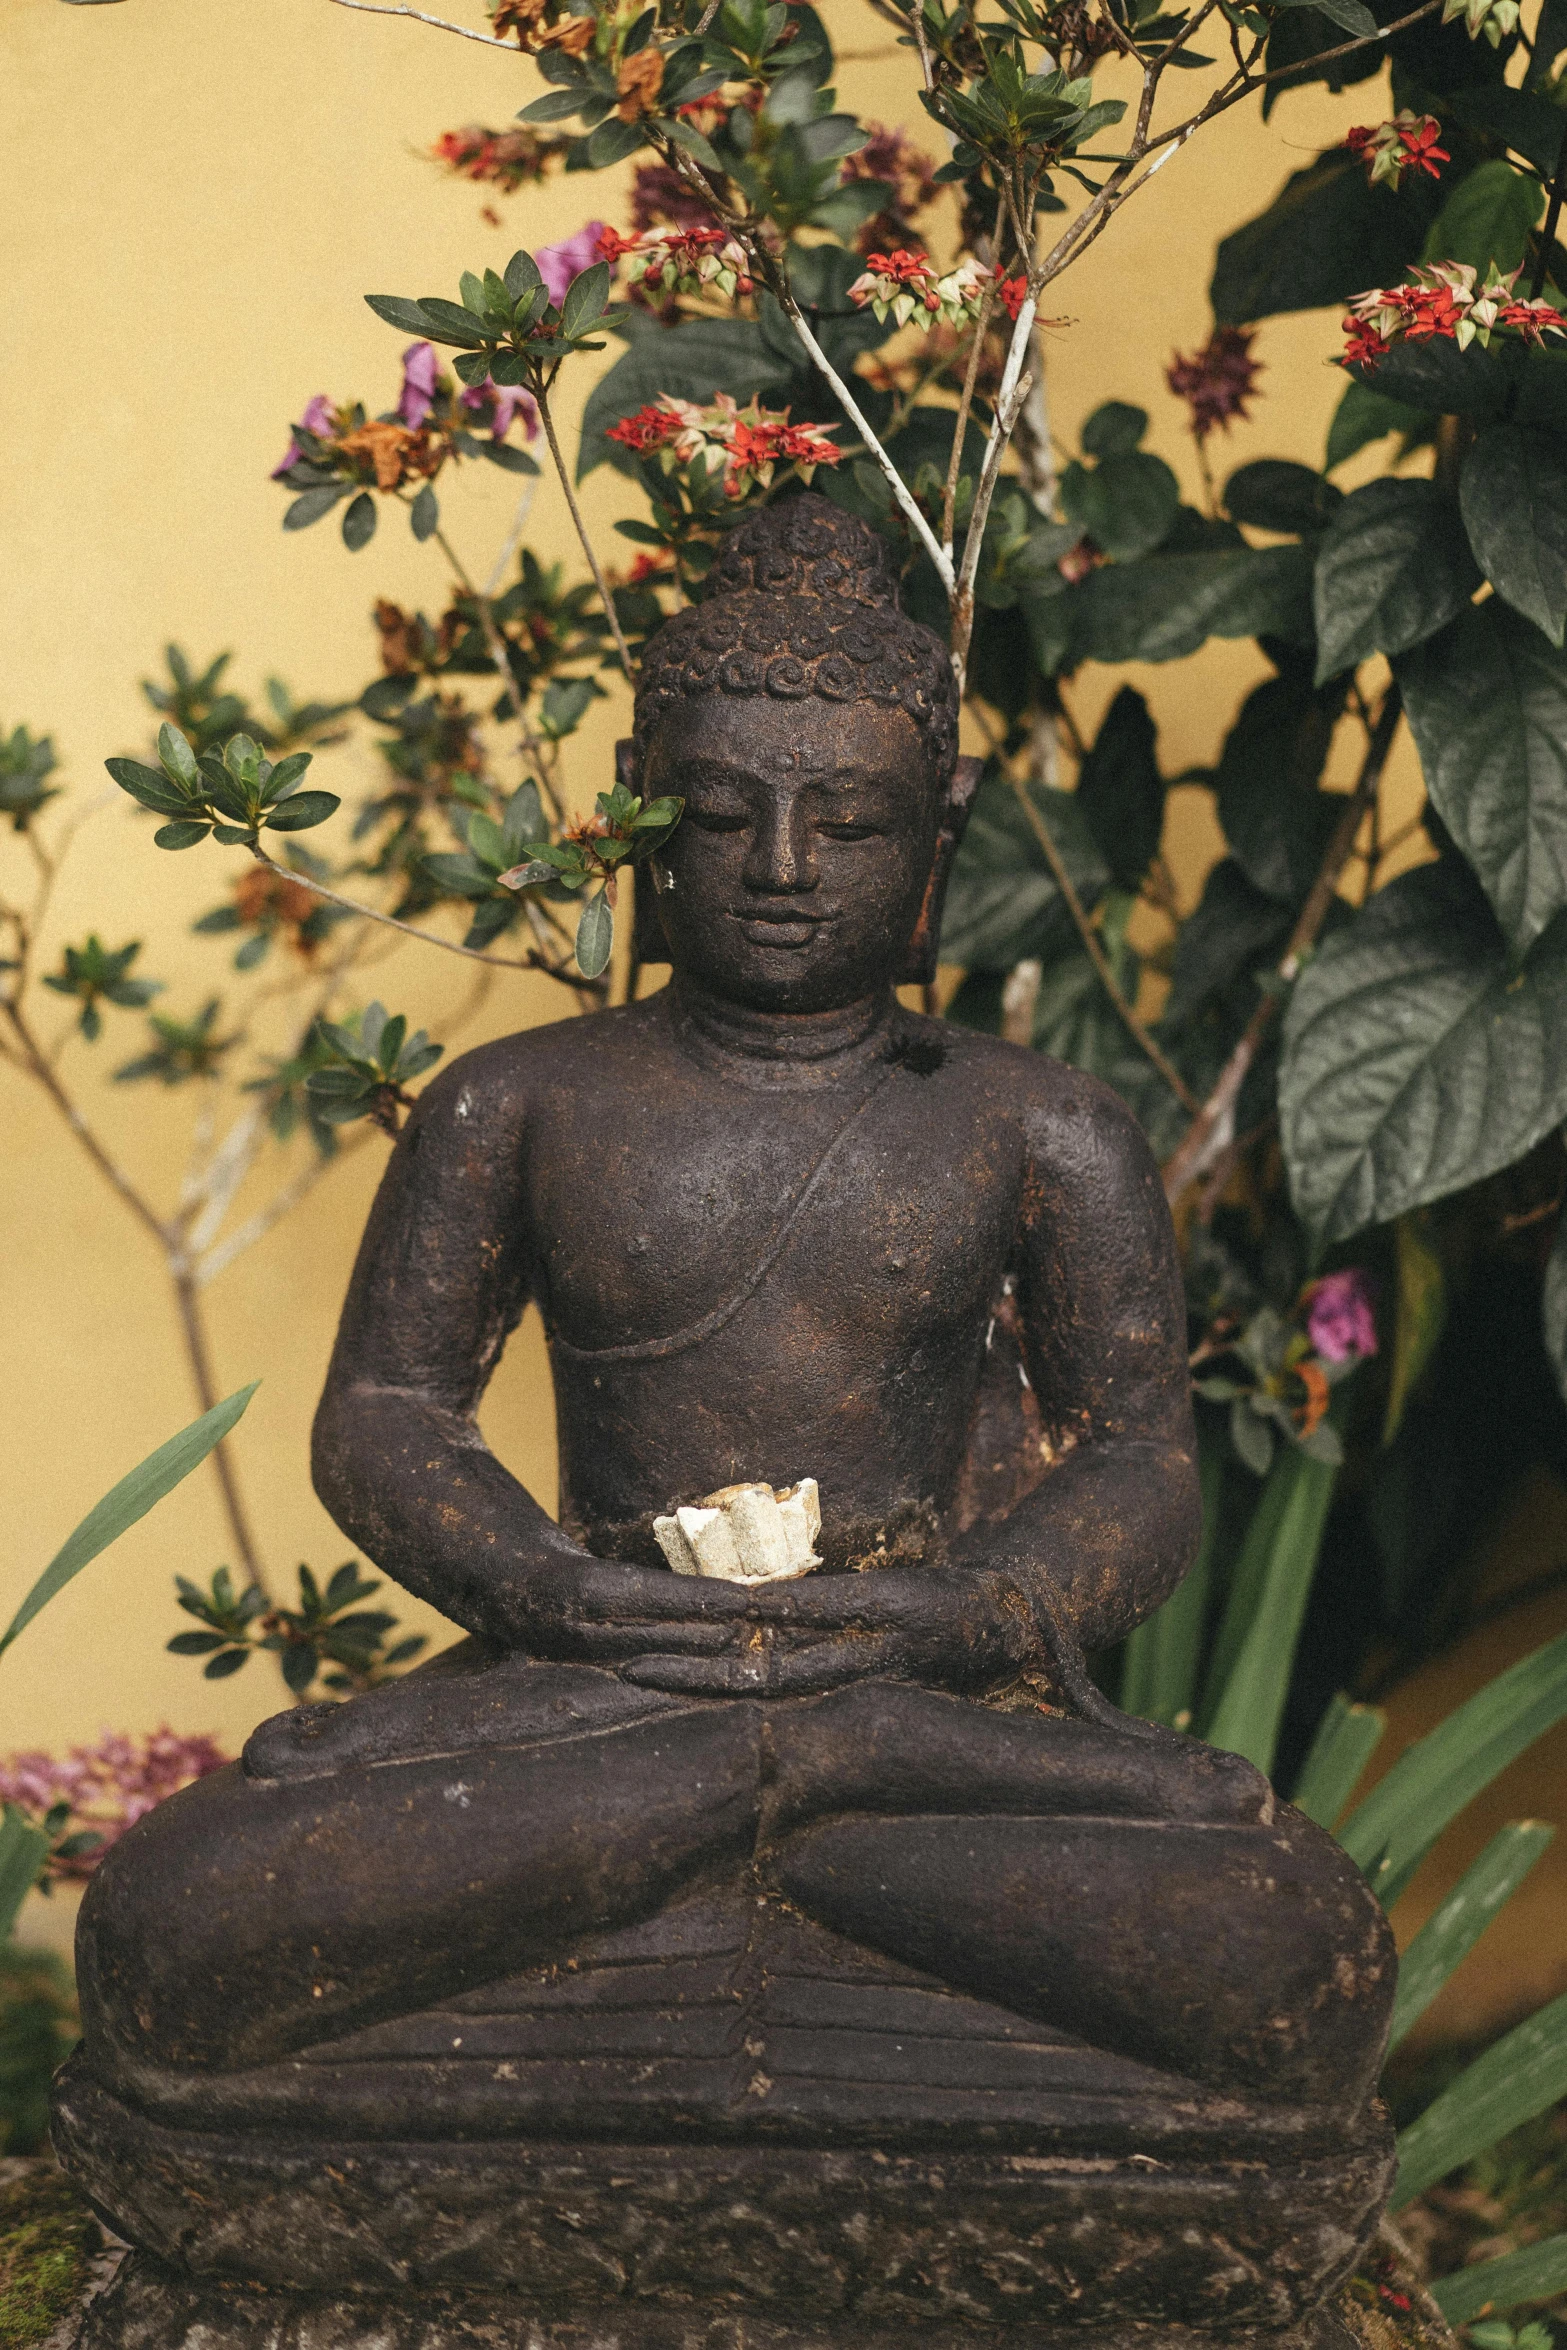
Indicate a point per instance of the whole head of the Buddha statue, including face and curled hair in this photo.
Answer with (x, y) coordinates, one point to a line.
(812, 730)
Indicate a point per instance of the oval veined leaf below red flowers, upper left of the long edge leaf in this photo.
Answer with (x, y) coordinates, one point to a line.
(1392, 570)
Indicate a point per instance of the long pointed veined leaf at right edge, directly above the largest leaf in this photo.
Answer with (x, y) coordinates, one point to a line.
(1488, 711)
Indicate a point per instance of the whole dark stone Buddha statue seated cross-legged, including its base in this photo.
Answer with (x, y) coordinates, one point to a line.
(680, 1959)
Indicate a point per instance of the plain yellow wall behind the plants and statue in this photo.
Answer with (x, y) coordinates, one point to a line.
(199, 194)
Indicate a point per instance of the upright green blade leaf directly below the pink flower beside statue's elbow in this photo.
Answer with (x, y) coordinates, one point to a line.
(1272, 1585)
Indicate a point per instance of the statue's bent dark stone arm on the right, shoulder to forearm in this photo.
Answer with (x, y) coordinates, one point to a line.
(1117, 1522)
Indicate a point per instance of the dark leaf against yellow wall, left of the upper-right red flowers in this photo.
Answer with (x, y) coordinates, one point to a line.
(1324, 239)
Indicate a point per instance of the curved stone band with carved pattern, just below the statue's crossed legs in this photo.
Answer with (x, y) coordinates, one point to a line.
(802, 2236)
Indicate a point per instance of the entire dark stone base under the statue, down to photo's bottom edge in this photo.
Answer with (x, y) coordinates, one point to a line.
(523, 2245)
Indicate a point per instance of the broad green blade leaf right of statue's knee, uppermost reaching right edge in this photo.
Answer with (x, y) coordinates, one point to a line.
(1430, 1785)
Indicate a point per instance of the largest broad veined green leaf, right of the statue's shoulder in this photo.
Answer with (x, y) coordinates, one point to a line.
(1415, 1056)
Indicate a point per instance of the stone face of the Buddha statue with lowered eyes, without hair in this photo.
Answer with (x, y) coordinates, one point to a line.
(800, 864)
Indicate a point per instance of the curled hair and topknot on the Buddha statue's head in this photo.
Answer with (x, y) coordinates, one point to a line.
(805, 600)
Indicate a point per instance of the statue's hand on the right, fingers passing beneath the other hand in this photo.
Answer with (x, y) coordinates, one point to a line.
(946, 1627)
